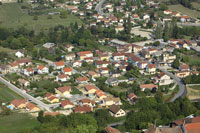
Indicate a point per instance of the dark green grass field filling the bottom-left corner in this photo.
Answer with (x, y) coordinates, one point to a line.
(16, 122)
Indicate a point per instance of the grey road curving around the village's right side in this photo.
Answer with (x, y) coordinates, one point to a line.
(182, 88)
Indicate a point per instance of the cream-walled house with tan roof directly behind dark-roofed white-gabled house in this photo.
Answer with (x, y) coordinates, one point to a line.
(111, 100)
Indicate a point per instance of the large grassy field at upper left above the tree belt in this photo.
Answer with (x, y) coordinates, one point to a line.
(12, 16)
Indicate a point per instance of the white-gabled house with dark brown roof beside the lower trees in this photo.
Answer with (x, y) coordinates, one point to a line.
(115, 111)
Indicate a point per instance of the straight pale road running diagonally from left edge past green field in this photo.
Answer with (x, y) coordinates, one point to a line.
(29, 97)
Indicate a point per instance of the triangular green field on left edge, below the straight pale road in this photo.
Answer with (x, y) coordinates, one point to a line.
(7, 95)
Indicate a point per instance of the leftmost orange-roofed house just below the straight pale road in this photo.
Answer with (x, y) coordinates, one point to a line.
(18, 103)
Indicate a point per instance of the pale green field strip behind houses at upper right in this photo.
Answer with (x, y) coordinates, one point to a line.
(184, 10)
